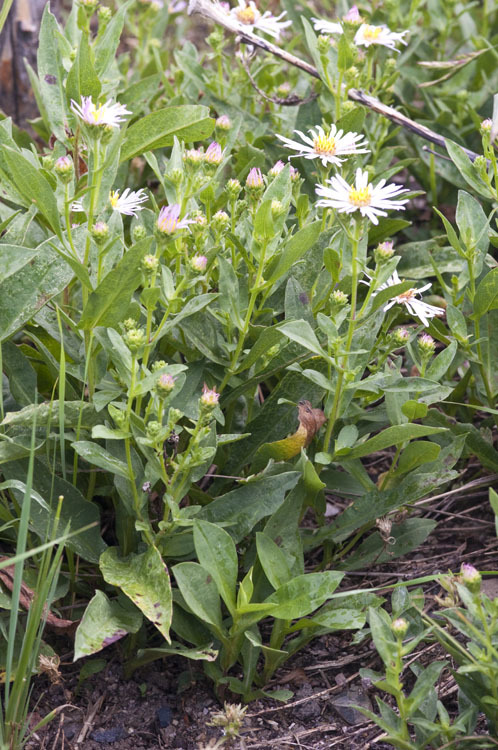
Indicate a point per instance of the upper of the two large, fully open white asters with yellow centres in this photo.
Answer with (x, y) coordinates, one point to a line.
(328, 147)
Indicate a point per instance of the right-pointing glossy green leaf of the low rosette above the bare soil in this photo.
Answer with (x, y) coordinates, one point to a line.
(303, 594)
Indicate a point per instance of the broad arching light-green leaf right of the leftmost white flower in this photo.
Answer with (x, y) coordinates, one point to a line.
(158, 129)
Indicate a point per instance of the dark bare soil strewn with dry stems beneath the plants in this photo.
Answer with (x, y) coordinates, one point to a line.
(110, 713)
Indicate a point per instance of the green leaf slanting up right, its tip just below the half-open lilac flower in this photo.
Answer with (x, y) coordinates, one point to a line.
(108, 304)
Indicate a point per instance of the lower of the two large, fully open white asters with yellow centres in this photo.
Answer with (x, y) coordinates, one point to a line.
(362, 196)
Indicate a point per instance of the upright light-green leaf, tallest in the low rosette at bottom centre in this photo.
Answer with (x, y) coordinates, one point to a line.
(217, 554)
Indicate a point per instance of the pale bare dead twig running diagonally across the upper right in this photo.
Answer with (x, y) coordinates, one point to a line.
(214, 12)
